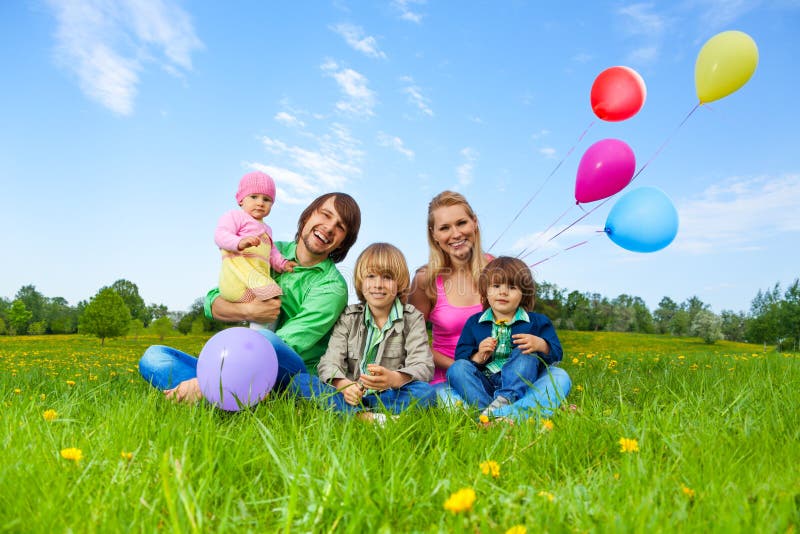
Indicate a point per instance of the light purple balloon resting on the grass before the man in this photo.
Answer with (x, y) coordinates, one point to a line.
(237, 367)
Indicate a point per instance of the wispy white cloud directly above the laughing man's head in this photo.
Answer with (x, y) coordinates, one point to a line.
(331, 164)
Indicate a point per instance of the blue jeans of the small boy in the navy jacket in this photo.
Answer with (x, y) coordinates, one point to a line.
(512, 382)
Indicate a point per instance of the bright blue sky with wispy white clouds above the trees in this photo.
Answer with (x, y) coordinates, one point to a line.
(127, 124)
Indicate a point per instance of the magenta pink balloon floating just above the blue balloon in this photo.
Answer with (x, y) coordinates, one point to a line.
(605, 169)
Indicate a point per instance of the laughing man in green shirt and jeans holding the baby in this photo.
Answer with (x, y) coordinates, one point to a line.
(314, 295)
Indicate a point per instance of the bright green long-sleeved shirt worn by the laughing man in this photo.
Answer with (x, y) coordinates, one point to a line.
(313, 298)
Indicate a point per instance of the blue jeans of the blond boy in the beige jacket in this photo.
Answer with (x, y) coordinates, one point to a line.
(414, 394)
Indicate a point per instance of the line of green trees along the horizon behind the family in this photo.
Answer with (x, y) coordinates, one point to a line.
(119, 309)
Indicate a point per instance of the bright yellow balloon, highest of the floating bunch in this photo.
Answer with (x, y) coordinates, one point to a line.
(724, 64)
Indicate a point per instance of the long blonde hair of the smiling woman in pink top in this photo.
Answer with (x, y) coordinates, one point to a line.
(438, 261)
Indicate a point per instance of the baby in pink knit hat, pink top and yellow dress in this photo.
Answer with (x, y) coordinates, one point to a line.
(245, 242)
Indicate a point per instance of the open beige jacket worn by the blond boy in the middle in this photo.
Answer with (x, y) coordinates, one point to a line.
(404, 347)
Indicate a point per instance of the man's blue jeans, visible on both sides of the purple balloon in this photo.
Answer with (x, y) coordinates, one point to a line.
(165, 367)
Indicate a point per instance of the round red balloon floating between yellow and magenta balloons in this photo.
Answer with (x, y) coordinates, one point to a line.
(618, 93)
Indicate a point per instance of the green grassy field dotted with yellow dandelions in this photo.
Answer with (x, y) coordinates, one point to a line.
(711, 439)
